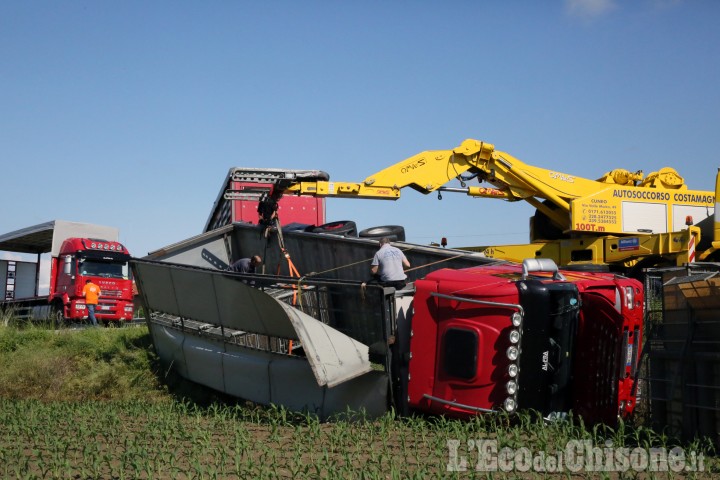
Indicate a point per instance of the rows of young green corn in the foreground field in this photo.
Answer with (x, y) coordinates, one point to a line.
(92, 440)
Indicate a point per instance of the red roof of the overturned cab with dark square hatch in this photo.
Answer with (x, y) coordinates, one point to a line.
(458, 348)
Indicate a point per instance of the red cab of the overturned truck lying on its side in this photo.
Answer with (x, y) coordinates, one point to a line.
(506, 337)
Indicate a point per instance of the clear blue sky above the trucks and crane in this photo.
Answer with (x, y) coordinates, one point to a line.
(131, 113)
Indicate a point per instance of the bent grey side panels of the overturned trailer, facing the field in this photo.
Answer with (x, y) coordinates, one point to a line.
(202, 320)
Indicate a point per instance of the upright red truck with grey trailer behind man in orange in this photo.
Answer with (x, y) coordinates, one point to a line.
(78, 252)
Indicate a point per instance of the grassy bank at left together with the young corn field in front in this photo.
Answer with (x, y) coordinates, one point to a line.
(96, 403)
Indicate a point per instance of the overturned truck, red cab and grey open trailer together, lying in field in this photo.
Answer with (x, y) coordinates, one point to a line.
(468, 335)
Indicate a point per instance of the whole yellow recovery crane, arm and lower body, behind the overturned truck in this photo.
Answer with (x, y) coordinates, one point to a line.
(622, 220)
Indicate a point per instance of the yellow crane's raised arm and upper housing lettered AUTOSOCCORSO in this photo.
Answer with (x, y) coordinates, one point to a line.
(620, 202)
